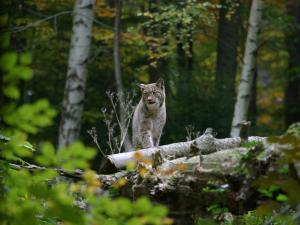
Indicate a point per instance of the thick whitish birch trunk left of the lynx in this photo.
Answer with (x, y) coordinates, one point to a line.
(74, 92)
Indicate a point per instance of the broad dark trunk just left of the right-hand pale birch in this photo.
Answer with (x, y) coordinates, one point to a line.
(226, 65)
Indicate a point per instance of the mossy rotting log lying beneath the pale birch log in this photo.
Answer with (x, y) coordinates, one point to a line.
(188, 185)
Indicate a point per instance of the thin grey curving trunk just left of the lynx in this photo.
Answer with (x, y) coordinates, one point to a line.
(118, 75)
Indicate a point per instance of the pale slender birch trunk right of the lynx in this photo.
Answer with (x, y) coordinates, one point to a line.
(246, 80)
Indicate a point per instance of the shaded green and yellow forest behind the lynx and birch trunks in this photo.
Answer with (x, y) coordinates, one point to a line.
(195, 46)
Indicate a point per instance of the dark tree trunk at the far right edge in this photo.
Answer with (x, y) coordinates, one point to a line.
(292, 113)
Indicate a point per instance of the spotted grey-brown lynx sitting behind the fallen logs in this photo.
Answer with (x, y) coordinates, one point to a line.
(149, 116)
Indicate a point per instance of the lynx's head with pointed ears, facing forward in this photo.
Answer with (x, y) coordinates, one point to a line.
(153, 95)
